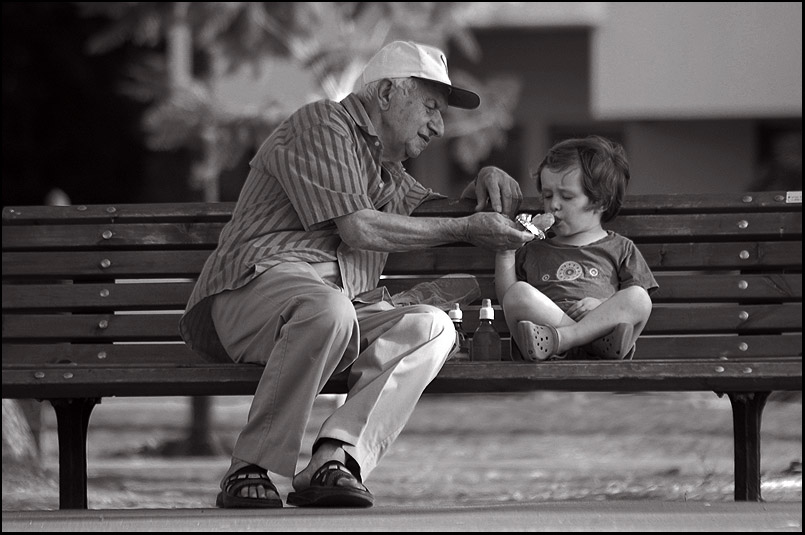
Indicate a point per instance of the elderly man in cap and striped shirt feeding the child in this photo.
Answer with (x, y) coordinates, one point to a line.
(293, 283)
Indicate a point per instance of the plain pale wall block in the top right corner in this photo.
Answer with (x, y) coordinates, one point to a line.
(696, 60)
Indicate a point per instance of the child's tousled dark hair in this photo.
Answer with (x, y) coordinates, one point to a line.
(604, 170)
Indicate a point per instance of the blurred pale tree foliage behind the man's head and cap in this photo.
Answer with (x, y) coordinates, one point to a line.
(196, 44)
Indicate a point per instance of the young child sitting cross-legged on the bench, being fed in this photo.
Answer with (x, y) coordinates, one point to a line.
(584, 292)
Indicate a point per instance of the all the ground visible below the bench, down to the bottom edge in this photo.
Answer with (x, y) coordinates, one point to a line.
(536, 461)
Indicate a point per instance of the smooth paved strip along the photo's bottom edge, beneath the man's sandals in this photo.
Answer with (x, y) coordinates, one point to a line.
(620, 516)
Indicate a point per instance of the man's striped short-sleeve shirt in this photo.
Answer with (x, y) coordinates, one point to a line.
(321, 163)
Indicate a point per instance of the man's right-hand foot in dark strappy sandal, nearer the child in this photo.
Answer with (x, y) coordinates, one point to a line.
(332, 485)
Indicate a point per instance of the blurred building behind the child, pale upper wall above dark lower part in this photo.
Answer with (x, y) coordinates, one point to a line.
(705, 97)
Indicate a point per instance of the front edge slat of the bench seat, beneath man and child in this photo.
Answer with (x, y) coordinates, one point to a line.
(588, 376)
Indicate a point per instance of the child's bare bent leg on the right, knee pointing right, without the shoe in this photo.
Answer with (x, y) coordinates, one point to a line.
(631, 305)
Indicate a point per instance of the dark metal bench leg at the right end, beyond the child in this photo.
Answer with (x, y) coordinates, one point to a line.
(747, 409)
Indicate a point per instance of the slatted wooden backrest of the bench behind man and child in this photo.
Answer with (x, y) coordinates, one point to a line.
(105, 285)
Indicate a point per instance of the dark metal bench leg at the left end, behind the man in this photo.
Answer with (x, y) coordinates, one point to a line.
(72, 417)
